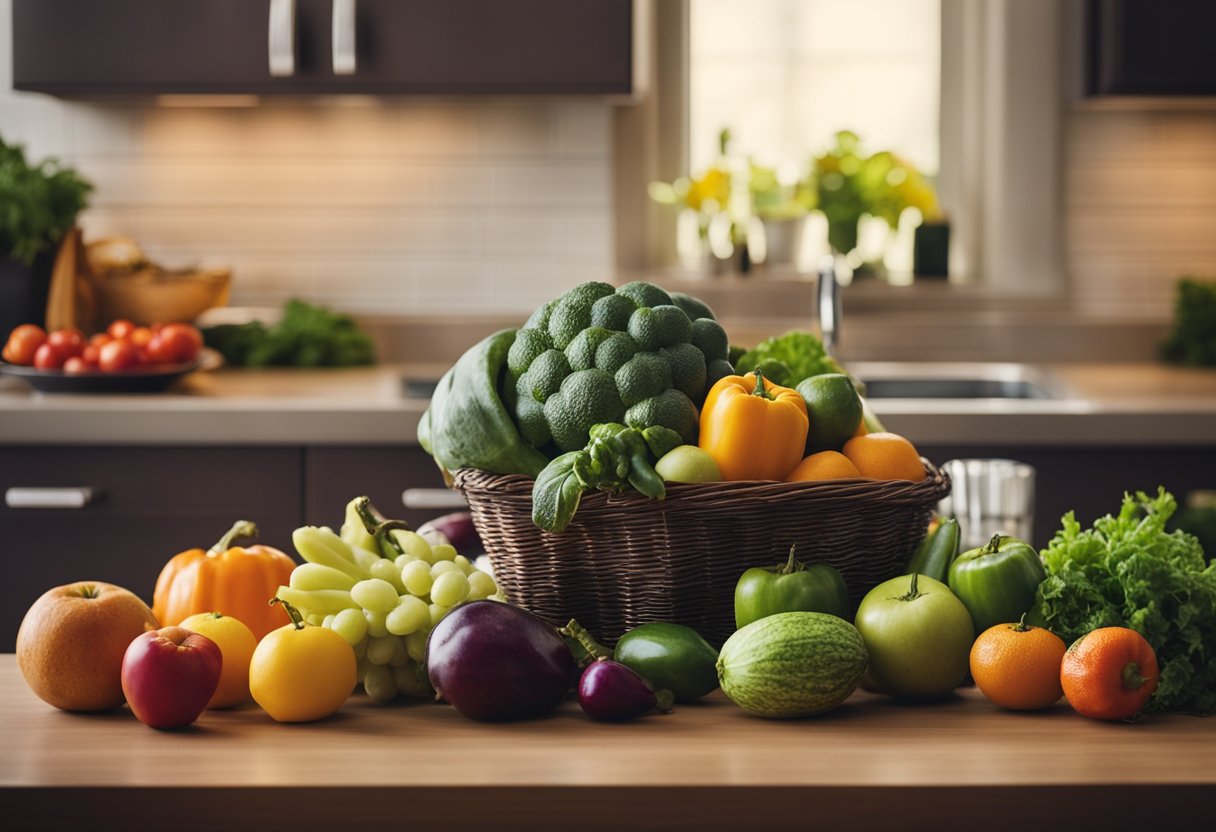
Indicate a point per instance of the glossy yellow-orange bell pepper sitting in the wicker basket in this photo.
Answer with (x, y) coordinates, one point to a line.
(753, 429)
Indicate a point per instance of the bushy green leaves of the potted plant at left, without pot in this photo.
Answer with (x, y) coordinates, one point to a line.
(38, 204)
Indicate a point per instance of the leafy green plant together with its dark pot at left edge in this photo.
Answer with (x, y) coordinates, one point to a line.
(40, 205)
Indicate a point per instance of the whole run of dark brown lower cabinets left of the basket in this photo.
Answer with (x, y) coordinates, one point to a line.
(150, 503)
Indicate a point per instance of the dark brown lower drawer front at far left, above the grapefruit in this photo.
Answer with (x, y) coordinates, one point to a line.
(151, 504)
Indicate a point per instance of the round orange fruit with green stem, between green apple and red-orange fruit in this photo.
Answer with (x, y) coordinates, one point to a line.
(1018, 666)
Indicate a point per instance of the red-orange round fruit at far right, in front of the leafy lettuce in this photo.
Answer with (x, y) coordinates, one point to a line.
(1110, 673)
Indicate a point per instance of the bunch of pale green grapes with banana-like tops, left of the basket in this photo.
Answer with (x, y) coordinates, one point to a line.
(382, 588)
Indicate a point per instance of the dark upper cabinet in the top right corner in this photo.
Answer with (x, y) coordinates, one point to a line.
(1151, 48)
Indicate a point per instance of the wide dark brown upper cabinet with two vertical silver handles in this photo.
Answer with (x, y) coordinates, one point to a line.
(324, 47)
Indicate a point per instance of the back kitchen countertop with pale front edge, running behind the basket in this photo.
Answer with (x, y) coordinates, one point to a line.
(1144, 404)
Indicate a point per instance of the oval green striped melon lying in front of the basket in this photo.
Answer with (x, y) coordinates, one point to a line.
(792, 665)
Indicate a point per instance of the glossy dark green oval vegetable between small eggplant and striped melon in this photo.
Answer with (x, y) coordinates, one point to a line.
(672, 657)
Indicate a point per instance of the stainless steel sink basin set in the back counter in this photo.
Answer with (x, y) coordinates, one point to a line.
(956, 381)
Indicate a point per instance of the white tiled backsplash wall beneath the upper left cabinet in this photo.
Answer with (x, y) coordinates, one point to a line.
(396, 206)
